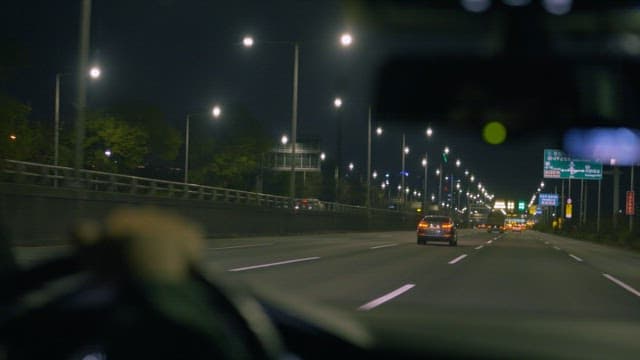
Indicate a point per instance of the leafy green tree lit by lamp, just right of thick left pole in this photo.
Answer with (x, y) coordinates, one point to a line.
(113, 144)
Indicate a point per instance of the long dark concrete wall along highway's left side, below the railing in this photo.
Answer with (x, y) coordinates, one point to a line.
(35, 215)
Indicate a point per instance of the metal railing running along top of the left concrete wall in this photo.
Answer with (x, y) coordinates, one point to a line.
(69, 178)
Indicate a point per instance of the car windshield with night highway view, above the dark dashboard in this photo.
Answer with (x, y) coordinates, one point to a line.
(307, 140)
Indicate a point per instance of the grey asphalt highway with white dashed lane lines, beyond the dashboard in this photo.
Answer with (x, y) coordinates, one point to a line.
(515, 271)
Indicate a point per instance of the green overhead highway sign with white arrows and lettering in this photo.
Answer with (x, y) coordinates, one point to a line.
(557, 165)
